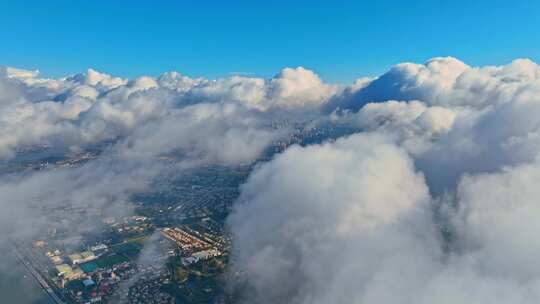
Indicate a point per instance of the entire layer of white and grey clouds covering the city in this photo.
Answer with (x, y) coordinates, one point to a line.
(434, 199)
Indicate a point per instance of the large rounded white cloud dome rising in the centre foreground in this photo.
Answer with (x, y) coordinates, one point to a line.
(328, 234)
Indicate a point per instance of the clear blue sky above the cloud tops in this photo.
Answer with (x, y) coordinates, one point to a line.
(340, 40)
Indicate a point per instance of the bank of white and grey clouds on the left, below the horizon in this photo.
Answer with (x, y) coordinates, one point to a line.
(135, 124)
